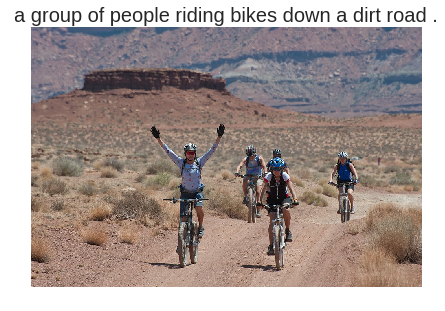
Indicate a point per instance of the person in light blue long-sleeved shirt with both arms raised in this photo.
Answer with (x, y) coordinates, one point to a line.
(191, 166)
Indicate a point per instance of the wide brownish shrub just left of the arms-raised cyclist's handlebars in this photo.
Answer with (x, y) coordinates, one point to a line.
(134, 204)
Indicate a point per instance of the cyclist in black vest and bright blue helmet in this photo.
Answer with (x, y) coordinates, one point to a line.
(279, 183)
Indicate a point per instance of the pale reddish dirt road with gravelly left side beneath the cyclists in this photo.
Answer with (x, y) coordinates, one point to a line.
(231, 254)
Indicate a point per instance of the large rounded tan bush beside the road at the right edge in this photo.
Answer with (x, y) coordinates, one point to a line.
(398, 231)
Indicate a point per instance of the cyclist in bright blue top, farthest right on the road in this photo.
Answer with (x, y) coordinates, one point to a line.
(344, 170)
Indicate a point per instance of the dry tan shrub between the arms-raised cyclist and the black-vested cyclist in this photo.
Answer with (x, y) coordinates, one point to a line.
(222, 200)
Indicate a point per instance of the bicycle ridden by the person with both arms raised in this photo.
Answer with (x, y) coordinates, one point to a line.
(188, 239)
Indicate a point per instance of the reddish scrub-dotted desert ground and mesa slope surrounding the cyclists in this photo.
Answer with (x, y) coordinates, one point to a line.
(98, 178)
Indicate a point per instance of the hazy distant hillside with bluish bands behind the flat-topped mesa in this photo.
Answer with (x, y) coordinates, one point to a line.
(339, 72)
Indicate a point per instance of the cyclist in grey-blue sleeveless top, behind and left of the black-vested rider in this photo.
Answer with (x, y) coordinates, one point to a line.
(255, 165)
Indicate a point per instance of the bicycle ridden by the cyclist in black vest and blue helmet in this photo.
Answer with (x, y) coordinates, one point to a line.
(278, 233)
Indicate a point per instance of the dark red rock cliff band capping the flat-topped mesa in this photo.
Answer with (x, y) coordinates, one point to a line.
(151, 79)
